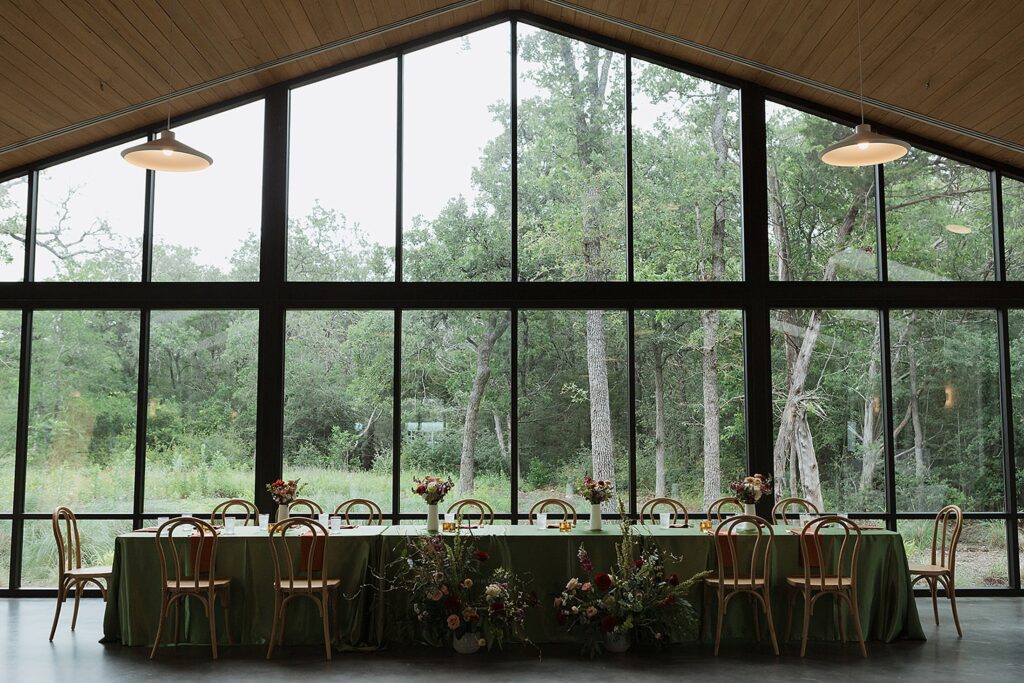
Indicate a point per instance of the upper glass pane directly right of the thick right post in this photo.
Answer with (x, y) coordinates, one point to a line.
(821, 218)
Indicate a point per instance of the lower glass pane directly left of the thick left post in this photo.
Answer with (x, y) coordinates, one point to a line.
(201, 424)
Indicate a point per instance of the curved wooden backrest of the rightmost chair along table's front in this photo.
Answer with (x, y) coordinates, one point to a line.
(843, 564)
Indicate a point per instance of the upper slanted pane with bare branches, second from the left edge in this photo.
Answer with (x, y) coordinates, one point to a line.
(91, 220)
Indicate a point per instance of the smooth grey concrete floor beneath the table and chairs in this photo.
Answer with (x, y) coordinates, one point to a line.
(993, 651)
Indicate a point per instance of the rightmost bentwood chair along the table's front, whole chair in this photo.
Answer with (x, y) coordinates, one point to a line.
(818, 581)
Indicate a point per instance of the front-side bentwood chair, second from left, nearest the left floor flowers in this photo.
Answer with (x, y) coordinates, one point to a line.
(292, 582)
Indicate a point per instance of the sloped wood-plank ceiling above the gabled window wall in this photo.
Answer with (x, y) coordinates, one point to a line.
(64, 62)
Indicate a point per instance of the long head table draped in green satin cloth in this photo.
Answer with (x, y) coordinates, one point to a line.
(370, 618)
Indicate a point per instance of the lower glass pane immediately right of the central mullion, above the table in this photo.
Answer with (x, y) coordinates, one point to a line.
(573, 404)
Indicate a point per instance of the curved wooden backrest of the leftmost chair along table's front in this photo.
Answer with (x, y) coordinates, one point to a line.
(187, 570)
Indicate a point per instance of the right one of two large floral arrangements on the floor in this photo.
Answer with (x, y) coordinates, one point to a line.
(636, 596)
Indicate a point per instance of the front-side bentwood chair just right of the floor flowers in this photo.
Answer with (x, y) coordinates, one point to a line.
(736, 577)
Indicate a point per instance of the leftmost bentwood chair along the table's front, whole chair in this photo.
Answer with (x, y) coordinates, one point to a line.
(188, 570)
